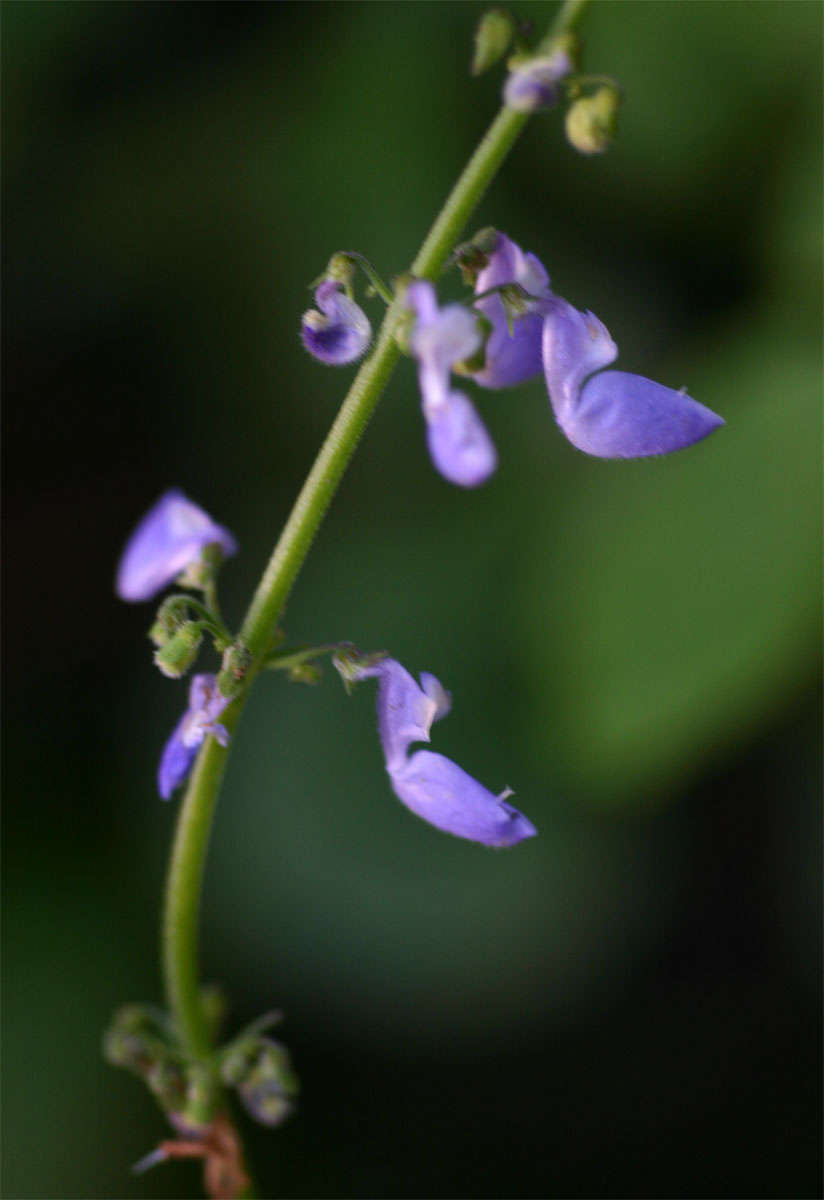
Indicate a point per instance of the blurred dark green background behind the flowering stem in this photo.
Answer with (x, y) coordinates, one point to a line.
(627, 1006)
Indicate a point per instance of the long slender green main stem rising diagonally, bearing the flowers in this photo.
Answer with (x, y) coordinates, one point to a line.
(185, 879)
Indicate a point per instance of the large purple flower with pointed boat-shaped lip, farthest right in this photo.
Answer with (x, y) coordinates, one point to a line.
(612, 415)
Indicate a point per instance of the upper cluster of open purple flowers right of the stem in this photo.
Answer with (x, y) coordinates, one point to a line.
(515, 329)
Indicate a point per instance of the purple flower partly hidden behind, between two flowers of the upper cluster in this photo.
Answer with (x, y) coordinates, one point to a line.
(513, 357)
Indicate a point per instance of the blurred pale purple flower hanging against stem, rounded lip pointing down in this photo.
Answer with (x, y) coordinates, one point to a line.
(459, 443)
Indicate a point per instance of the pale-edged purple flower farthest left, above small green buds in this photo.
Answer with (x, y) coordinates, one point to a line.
(170, 538)
